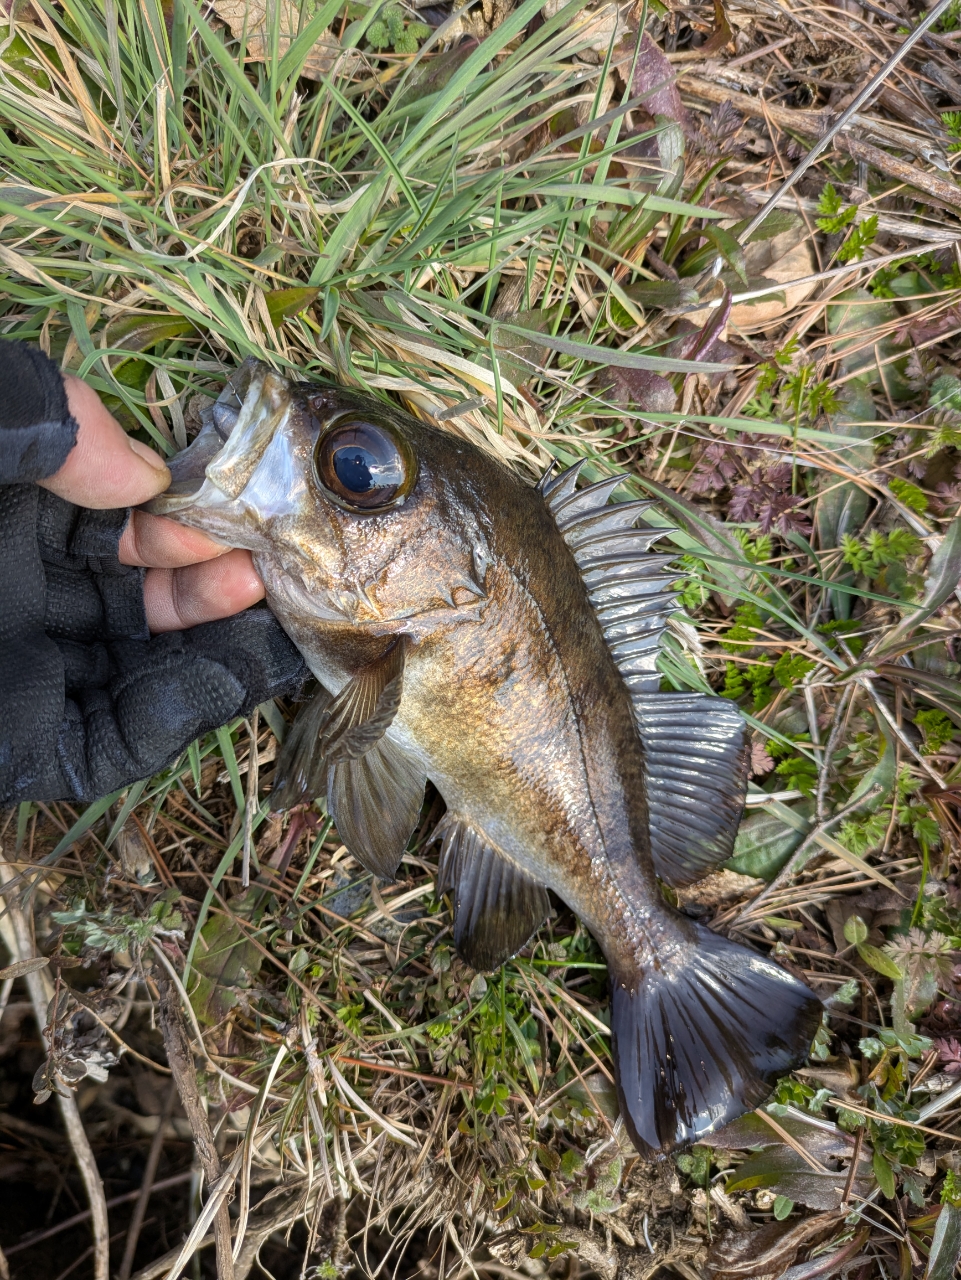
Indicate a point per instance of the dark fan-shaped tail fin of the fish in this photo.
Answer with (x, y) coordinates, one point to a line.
(698, 1041)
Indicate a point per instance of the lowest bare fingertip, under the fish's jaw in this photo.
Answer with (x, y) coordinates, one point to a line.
(179, 598)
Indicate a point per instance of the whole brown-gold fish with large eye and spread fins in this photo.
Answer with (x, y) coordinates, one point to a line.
(501, 639)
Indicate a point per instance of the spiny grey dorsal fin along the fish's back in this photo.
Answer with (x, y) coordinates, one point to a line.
(695, 746)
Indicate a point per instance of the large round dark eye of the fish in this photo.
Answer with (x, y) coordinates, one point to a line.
(364, 465)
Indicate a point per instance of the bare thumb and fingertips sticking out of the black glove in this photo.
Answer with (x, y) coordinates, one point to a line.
(190, 578)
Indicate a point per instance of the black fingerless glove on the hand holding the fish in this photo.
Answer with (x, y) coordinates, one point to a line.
(89, 702)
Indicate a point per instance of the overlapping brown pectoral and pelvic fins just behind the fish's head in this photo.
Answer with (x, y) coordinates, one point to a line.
(337, 746)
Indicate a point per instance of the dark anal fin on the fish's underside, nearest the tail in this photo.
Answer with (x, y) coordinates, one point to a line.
(497, 907)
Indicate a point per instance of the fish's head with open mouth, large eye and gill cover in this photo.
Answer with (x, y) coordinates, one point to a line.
(355, 513)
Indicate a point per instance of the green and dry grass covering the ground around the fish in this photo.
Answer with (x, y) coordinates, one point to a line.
(463, 230)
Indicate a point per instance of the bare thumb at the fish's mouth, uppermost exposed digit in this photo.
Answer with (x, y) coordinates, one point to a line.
(106, 468)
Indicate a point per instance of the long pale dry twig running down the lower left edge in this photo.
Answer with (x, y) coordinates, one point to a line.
(17, 938)
